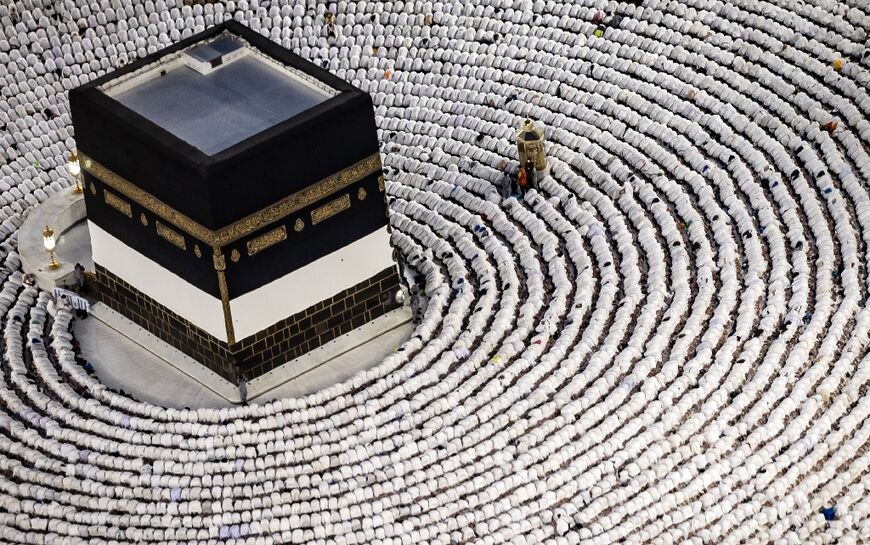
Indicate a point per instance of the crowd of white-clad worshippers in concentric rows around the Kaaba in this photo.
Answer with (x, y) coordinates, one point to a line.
(666, 341)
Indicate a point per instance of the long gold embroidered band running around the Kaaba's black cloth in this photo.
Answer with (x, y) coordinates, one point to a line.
(244, 227)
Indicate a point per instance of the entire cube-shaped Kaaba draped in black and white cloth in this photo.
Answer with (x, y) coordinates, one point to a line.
(235, 200)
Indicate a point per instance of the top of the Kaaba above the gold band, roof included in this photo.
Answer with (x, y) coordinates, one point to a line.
(225, 114)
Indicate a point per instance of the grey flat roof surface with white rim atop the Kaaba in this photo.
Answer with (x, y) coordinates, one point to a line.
(216, 94)
